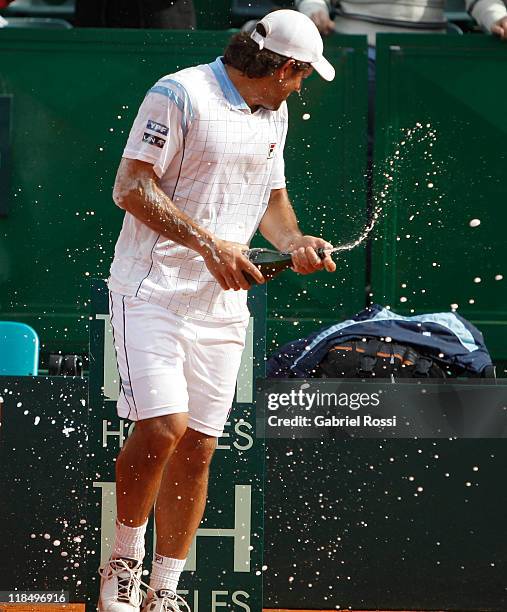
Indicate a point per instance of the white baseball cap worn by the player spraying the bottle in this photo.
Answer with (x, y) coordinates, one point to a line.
(294, 35)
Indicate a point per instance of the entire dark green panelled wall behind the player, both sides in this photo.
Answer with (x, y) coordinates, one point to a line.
(75, 93)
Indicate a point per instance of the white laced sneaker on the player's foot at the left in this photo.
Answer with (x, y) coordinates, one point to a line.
(120, 586)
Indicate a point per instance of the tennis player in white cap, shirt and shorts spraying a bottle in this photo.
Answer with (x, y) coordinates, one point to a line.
(202, 170)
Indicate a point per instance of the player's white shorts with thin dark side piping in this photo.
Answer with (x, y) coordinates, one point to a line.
(169, 364)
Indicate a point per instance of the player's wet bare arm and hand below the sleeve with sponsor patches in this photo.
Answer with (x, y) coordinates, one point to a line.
(137, 191)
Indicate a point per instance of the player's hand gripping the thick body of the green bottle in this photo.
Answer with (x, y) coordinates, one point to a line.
(227, 262)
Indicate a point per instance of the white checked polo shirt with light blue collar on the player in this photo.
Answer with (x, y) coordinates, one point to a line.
(218, 162)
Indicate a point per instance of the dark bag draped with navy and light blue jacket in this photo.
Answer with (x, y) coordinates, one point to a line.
(379, 342)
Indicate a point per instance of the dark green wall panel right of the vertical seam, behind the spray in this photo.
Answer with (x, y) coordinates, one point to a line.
(453, 84)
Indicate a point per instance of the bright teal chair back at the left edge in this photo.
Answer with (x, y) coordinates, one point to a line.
(19, 349)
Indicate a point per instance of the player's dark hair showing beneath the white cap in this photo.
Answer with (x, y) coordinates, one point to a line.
(244, 54)
